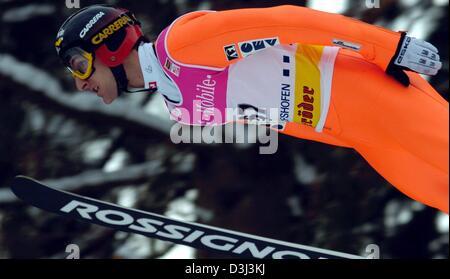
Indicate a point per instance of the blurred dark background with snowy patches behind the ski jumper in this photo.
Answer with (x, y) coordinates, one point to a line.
(308, 192)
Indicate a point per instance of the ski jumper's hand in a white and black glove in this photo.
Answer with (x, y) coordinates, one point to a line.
(413, 55)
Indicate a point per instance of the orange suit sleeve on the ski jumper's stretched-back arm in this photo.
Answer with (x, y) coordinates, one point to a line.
(200, 37)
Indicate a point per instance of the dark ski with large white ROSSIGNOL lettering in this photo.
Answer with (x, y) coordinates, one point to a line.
(199, 236)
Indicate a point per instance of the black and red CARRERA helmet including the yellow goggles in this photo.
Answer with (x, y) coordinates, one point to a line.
(103, 31)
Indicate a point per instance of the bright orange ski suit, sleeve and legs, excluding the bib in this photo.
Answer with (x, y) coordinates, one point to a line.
(402, 132)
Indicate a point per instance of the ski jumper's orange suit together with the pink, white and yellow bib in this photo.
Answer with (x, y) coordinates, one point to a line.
(328, 71)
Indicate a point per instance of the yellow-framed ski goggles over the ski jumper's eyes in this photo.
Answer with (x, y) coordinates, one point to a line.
(79, 62)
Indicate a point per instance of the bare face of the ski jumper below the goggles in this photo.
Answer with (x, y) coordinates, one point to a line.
(102, 83)
